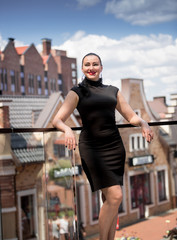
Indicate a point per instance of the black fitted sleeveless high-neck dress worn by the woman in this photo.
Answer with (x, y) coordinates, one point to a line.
(101, 148)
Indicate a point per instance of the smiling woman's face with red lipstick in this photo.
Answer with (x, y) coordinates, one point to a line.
(92, 67)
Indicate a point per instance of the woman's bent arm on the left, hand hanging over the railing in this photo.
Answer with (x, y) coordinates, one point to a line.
(64, 112)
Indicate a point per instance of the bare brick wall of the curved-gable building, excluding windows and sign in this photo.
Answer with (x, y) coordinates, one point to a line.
(134, 94)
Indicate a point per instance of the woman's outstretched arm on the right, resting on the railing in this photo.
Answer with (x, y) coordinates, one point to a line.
(126, 111)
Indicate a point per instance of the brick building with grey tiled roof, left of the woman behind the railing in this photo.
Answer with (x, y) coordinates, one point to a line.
(28, 193)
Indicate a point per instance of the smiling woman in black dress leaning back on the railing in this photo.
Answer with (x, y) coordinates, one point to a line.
(100, 145)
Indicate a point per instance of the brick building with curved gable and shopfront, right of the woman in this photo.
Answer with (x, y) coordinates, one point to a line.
(148, 188)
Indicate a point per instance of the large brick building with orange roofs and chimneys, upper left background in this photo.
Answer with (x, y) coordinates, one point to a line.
(24, 71)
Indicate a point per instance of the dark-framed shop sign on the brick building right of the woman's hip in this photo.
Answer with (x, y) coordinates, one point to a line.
(141, 160)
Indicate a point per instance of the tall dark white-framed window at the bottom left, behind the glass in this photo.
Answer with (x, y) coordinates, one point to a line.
(27, 214)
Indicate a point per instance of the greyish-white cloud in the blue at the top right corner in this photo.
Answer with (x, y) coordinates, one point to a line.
(142, 12)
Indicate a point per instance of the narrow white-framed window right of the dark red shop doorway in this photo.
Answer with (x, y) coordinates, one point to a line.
(161, 186)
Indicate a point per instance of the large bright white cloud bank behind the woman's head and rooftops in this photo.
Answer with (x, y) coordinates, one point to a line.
(152, 58)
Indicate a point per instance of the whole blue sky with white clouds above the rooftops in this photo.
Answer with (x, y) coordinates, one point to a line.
(135, 38)
